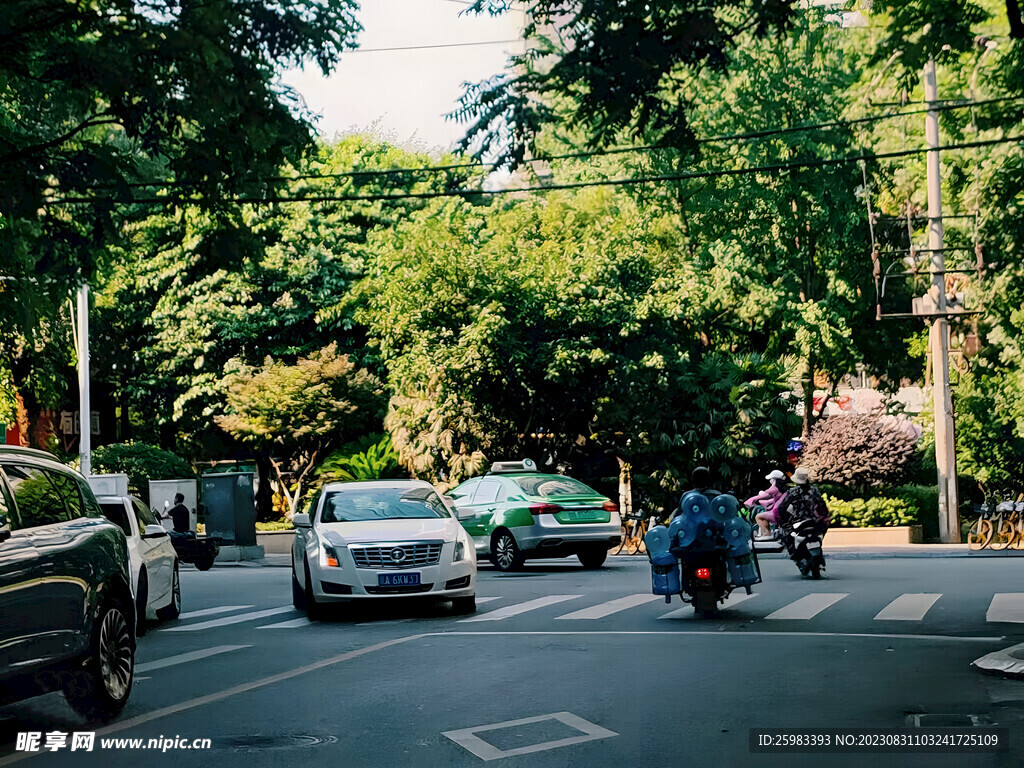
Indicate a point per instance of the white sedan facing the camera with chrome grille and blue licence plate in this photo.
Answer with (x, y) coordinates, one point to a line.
(381, 539)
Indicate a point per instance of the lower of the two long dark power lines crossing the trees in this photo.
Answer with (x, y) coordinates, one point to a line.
(773, 168)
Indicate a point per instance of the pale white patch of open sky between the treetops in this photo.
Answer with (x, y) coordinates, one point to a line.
(405, 95)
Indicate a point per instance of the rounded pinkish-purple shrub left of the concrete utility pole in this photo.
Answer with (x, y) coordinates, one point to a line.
(862, 451)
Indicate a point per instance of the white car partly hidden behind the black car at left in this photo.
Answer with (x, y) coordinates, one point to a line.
(154, 564)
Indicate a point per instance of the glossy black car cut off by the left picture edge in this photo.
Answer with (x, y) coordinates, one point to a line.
(66, 601)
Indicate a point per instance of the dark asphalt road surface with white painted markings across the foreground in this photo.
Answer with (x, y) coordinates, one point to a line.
(559, 655)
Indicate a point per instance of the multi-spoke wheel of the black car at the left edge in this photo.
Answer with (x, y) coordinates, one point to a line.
(101, 691)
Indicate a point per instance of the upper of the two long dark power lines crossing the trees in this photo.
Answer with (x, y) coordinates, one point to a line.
(594, 153)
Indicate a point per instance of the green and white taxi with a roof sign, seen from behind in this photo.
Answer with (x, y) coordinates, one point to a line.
(516, 514)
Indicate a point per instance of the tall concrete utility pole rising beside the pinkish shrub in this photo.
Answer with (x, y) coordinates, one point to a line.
(946, 446)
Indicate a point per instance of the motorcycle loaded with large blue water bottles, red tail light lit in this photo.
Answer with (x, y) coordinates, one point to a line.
(704, 554)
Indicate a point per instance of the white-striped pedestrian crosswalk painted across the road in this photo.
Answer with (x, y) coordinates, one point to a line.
(1002, 609)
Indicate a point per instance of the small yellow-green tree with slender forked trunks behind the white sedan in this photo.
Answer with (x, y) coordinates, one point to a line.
(292, 414)
